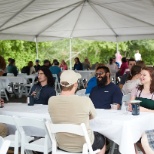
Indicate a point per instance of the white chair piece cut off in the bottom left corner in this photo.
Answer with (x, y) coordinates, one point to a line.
(4, 145)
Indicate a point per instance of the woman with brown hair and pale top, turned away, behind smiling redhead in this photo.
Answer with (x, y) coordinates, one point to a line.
(133, 80)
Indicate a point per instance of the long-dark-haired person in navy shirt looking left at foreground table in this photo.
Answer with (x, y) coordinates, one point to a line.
(44, 89)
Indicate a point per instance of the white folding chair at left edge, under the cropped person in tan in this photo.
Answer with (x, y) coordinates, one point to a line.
(13, 138)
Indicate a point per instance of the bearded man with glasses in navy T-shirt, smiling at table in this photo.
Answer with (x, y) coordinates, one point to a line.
(106, 92)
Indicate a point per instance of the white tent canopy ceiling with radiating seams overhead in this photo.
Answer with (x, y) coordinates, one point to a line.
(45, 20)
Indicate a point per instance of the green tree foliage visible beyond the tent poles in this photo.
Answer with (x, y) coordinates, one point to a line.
(96, 51)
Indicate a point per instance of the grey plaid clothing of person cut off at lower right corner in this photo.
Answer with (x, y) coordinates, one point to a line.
(150, 137)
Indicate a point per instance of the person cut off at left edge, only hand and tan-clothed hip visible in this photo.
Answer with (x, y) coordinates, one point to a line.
(3, 127)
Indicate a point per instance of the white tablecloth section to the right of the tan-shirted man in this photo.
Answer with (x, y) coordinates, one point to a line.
(123, 129)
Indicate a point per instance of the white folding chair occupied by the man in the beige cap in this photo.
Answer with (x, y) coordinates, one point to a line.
(69, 128)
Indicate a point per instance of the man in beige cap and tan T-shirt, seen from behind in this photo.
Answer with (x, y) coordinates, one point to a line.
(70, 108)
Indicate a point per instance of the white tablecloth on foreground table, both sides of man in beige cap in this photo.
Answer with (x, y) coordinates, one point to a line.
(124, 129)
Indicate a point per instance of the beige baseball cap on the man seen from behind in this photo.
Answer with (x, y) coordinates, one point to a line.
(69, 76)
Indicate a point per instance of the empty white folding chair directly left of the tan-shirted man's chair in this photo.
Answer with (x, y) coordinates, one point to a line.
(42, 144)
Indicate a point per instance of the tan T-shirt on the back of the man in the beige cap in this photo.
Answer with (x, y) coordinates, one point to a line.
(71, 109)
